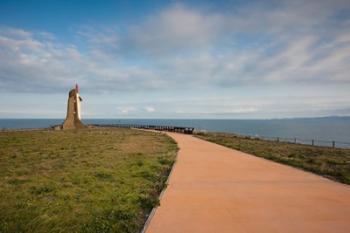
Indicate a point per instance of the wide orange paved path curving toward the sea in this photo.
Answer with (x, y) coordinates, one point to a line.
(216, 189)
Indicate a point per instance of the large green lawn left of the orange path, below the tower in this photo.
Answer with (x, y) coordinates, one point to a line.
(93, 180)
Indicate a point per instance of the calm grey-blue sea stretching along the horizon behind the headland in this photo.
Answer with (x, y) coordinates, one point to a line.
(319, 131)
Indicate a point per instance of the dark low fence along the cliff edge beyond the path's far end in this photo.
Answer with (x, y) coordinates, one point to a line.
(185, 130)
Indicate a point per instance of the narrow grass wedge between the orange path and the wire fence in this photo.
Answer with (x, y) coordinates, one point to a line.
(328, 162)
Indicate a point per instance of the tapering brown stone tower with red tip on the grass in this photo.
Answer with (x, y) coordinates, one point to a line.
(73, 118)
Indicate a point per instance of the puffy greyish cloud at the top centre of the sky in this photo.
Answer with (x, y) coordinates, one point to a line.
(177, 27)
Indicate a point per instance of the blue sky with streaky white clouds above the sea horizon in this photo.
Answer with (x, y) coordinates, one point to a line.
(221, 59)
